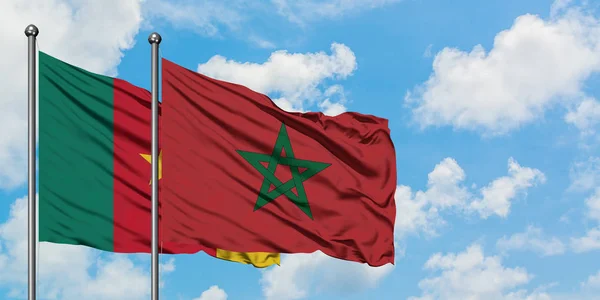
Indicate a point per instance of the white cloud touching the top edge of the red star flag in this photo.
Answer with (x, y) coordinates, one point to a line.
(296, 77)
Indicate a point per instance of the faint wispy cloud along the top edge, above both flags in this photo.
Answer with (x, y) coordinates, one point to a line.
(214, 18)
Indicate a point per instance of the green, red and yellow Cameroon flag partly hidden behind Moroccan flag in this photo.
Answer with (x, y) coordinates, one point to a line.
(94, 164)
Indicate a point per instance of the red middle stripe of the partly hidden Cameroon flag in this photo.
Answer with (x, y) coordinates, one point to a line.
(132, 194)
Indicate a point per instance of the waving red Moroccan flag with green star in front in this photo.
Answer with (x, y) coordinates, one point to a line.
(239, 173)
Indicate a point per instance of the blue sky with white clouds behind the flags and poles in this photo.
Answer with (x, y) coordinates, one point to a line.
(493, 111)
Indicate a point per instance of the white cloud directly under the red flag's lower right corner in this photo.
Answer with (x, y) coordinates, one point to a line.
(302, 274)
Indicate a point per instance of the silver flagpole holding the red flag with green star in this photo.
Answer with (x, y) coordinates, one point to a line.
(154, 40)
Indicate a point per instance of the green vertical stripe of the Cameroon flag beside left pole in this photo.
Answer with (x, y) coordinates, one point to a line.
(75, 155)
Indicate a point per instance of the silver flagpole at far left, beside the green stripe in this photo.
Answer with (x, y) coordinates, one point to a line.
(31, 32)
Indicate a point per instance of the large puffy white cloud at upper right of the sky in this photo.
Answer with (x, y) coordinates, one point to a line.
(532, 66)
